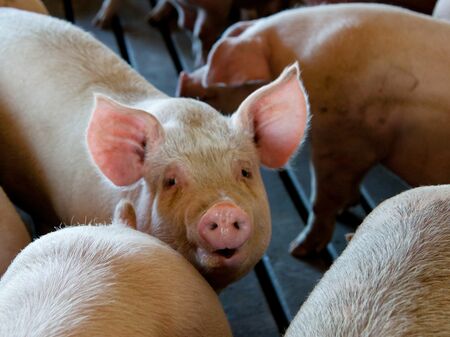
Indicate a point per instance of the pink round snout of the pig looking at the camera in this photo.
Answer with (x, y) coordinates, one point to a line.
(224, 228)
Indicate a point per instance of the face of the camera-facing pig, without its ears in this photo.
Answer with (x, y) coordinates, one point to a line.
(208, 199)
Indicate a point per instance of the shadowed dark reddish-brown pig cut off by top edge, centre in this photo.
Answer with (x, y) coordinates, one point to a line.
(206, 19)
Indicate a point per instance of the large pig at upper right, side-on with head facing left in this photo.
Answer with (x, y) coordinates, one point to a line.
(377, 80)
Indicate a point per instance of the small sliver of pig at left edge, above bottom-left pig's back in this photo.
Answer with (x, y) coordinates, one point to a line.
(14, 235)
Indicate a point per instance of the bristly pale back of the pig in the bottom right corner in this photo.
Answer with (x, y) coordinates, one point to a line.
(393, 277)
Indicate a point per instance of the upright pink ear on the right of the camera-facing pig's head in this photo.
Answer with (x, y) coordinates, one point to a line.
(277, 115)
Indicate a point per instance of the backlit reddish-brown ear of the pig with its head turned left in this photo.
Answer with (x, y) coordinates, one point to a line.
(235, 61)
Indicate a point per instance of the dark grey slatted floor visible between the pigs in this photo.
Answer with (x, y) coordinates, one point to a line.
(263, 302)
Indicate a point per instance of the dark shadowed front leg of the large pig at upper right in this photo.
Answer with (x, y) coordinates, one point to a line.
(335, 185)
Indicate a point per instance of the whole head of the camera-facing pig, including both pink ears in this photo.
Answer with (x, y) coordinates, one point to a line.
(201, 169)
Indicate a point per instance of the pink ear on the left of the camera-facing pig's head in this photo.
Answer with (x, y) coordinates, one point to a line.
(118, 138)
